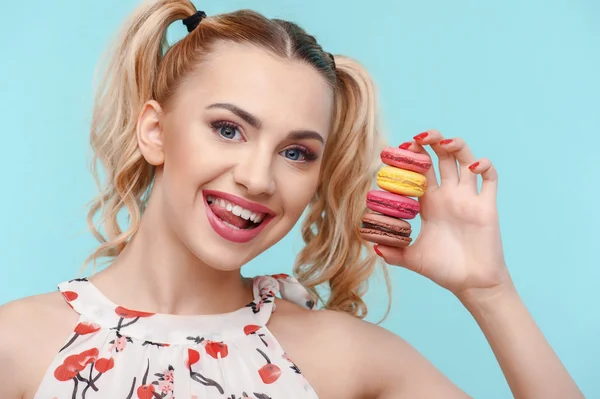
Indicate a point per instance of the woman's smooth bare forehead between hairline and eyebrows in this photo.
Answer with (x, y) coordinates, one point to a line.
(285, 95)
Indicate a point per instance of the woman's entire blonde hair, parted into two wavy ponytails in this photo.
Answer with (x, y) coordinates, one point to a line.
(141, 67)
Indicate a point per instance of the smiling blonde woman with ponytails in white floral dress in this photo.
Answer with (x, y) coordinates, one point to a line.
(215, 149)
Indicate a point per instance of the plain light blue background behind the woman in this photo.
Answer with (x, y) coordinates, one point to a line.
(519, 80)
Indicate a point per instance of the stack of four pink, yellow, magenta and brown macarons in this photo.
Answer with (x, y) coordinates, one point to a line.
(401, 178)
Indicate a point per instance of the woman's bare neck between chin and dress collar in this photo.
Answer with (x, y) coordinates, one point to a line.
(157, 273)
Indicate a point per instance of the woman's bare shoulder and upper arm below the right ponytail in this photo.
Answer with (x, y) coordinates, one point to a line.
(369, 360)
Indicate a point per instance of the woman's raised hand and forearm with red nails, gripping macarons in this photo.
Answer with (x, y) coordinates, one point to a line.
(459, 247)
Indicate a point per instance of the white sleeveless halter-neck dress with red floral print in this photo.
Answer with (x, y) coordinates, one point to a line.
(119, 353)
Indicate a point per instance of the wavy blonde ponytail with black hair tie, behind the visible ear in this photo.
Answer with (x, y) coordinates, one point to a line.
(127, 83)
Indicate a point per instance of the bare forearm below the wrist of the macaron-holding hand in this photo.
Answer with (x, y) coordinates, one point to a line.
(529, 364)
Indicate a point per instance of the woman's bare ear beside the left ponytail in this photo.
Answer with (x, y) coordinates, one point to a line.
(150, 134)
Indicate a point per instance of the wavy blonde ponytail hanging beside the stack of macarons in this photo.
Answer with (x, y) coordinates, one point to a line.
(335, 253)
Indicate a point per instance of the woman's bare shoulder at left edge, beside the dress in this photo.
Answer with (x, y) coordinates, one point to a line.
(31, 332)
